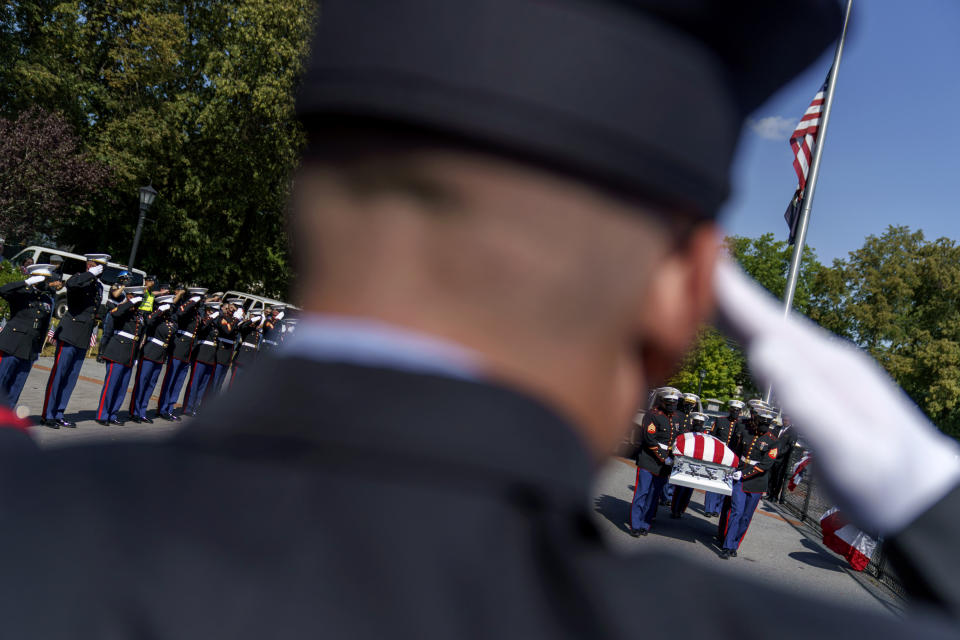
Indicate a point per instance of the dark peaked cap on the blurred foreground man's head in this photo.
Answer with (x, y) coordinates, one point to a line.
(645, 97)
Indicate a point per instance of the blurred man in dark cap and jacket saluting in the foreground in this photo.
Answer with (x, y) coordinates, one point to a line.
(505, 234)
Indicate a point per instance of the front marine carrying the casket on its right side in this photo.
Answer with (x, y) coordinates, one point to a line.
(758, 452)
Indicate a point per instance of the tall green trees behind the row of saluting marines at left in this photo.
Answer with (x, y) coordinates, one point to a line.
(196, 97)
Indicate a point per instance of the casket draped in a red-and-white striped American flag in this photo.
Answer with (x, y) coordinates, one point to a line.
(703, 462)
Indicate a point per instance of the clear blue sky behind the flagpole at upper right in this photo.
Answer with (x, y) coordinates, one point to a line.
(892, 153)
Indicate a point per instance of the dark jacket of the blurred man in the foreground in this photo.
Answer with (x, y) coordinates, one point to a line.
(373, 519)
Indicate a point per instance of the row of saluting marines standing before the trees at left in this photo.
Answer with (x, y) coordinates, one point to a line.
(199, 339)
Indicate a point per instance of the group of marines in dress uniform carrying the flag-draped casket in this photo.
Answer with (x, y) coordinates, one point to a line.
(763, 448)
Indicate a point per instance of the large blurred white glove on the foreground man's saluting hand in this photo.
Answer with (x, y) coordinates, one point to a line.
(861, 442)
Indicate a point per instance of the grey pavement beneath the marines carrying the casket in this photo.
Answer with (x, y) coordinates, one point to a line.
(777, 550)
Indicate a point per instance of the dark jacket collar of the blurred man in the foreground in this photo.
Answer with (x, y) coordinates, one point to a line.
(449, 429)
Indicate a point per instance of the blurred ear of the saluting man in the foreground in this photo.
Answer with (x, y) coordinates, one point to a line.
(679, 300)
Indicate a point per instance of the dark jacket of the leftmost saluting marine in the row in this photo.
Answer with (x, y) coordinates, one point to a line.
(30, 311)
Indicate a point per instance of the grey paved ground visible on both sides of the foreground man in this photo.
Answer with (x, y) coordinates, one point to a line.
(778, 550)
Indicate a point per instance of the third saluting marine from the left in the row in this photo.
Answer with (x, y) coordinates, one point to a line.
(120, 355)
